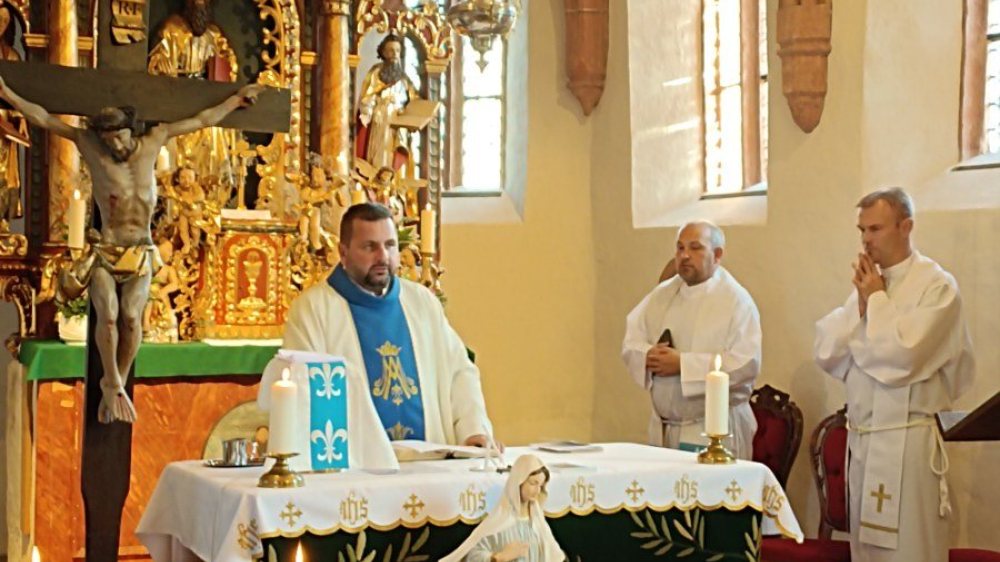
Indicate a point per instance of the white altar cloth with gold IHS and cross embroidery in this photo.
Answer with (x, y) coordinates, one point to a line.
(220, 514)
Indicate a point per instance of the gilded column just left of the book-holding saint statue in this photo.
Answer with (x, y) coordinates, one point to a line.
(335, 100)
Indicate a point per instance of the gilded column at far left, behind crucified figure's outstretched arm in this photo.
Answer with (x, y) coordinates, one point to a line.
(64, 160)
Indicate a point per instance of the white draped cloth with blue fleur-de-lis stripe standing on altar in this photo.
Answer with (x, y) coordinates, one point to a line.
(336, 424)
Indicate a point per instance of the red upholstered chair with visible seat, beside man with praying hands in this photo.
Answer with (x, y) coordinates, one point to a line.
(827, 450)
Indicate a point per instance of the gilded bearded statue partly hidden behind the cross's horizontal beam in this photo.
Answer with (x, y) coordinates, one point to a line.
(191, 45)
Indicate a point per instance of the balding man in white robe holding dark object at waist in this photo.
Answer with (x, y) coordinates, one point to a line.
(674, 334)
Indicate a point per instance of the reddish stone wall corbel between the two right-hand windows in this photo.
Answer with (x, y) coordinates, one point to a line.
(804, 31)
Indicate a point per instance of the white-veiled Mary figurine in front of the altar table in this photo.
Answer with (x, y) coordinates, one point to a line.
(516, 528)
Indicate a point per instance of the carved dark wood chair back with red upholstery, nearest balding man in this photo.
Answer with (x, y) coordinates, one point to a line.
(779, 430)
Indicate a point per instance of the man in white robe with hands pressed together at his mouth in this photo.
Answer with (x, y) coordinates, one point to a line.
(901, 347)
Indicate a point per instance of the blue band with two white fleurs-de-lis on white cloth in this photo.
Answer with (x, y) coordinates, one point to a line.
(327, 415)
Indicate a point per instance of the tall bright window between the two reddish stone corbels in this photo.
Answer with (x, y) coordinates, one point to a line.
(734, 72)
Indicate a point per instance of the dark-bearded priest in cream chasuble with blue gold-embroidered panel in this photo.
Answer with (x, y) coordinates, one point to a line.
(419, 375)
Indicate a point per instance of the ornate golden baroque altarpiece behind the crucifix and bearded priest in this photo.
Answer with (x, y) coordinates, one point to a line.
(243, 223)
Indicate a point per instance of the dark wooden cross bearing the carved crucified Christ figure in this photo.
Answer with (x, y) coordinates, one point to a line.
(121, 79)
